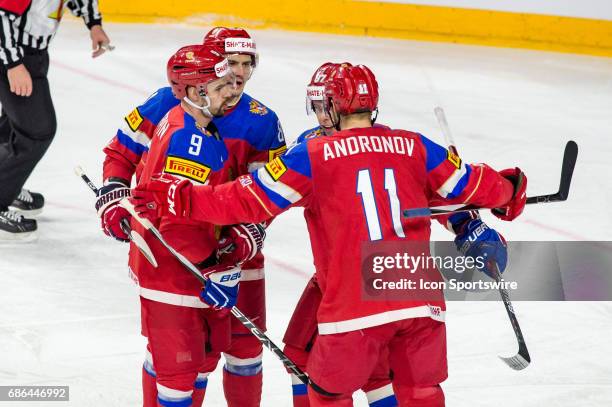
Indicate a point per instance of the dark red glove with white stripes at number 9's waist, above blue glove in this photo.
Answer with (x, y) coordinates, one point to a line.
(239, 243)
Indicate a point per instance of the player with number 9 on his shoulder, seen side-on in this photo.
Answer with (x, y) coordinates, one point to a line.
(177, 318)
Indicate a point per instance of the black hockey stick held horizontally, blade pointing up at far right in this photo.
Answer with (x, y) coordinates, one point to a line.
(567, 170)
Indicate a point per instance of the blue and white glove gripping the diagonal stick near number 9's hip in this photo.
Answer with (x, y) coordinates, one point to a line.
(221, 288)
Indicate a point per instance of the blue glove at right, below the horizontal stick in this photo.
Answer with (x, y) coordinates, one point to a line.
(475, 239)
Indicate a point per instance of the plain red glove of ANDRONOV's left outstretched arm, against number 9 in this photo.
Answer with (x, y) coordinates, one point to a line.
(163, 195)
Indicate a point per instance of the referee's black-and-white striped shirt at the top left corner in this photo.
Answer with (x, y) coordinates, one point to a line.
(33, 23)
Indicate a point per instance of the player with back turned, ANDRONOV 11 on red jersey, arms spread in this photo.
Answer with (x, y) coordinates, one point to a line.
(355, 182)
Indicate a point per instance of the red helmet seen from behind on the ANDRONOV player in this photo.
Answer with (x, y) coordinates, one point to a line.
(352, 88)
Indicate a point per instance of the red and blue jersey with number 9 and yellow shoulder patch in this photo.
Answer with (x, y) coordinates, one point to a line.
(182, 148)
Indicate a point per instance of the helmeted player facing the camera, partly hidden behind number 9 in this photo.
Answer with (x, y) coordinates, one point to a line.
(253, 135)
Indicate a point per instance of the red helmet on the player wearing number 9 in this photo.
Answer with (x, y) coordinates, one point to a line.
(195, 65)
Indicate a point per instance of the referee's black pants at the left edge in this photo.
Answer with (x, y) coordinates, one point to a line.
(27, 126)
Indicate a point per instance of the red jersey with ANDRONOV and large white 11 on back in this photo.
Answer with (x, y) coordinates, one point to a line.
(355, 184)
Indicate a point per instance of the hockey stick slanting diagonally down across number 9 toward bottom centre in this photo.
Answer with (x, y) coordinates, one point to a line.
(255, 330)
